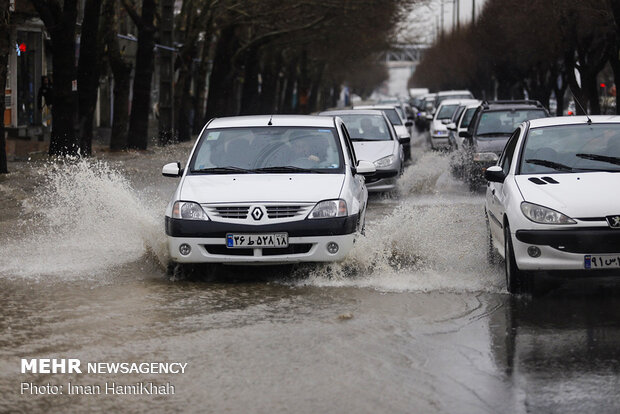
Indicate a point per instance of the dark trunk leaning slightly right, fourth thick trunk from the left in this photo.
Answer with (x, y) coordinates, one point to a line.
(141, 103)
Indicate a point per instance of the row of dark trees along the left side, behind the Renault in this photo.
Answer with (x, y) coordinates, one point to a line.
(256, 56)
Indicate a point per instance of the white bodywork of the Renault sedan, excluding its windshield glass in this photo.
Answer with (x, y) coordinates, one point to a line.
(266, 203)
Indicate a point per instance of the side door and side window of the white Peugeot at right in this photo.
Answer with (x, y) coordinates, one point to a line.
(496, 192)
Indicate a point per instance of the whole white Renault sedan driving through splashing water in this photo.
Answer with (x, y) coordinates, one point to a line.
(267, 190)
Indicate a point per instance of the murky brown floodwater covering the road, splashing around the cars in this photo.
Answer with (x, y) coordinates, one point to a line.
(414, 320)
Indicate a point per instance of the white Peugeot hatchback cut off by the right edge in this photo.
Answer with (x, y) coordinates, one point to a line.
(552, 201)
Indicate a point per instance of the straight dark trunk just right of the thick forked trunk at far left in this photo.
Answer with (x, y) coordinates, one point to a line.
(88, 73)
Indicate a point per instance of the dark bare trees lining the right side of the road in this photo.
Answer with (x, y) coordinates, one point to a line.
(541, 47)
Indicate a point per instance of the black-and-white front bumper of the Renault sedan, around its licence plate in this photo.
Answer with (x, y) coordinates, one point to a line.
(308, 240)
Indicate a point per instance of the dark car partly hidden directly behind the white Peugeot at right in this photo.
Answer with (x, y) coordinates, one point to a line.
(492, 124)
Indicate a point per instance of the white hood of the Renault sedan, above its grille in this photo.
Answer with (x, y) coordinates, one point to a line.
(239, 188)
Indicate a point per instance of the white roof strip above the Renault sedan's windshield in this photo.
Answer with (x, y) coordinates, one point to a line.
(276, 120)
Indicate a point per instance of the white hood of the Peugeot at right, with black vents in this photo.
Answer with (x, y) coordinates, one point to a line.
(576, 195)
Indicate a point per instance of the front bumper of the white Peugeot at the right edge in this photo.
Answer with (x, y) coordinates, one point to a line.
(565, 249)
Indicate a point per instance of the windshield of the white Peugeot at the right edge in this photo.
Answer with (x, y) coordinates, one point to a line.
(572, 148)
